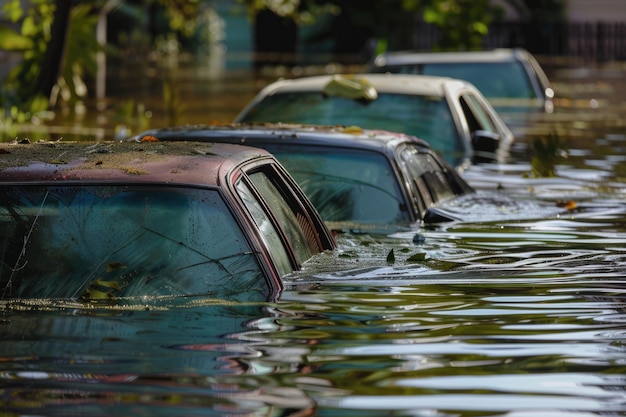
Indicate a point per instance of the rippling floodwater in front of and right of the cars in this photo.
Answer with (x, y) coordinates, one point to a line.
(499, 316)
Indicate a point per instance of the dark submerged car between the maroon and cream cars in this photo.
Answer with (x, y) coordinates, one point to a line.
(357, 179)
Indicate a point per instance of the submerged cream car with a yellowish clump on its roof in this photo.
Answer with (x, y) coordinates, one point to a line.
(451, 115)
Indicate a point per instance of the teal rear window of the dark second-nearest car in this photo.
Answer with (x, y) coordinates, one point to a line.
(346, 185)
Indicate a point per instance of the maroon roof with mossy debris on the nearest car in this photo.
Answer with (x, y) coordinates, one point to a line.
(104, 161)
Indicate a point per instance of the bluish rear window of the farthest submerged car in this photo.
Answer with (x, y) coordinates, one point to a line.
(494, 80)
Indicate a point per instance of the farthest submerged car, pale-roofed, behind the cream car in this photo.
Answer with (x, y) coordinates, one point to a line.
(511, 79)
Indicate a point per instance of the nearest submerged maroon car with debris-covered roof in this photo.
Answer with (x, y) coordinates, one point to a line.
(109, 221)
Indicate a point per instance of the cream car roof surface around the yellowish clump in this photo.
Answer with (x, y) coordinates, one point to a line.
(410, 84)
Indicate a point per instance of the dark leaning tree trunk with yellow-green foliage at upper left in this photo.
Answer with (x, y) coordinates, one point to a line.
(60, 51)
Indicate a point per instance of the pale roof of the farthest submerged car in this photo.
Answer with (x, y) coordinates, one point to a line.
(415, 57)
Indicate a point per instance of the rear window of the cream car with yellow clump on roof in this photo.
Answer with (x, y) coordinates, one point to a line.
(427, 117)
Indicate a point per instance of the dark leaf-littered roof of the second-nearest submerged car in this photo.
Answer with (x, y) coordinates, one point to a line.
(284, 133)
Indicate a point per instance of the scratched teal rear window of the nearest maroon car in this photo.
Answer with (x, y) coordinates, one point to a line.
(105, 242)
